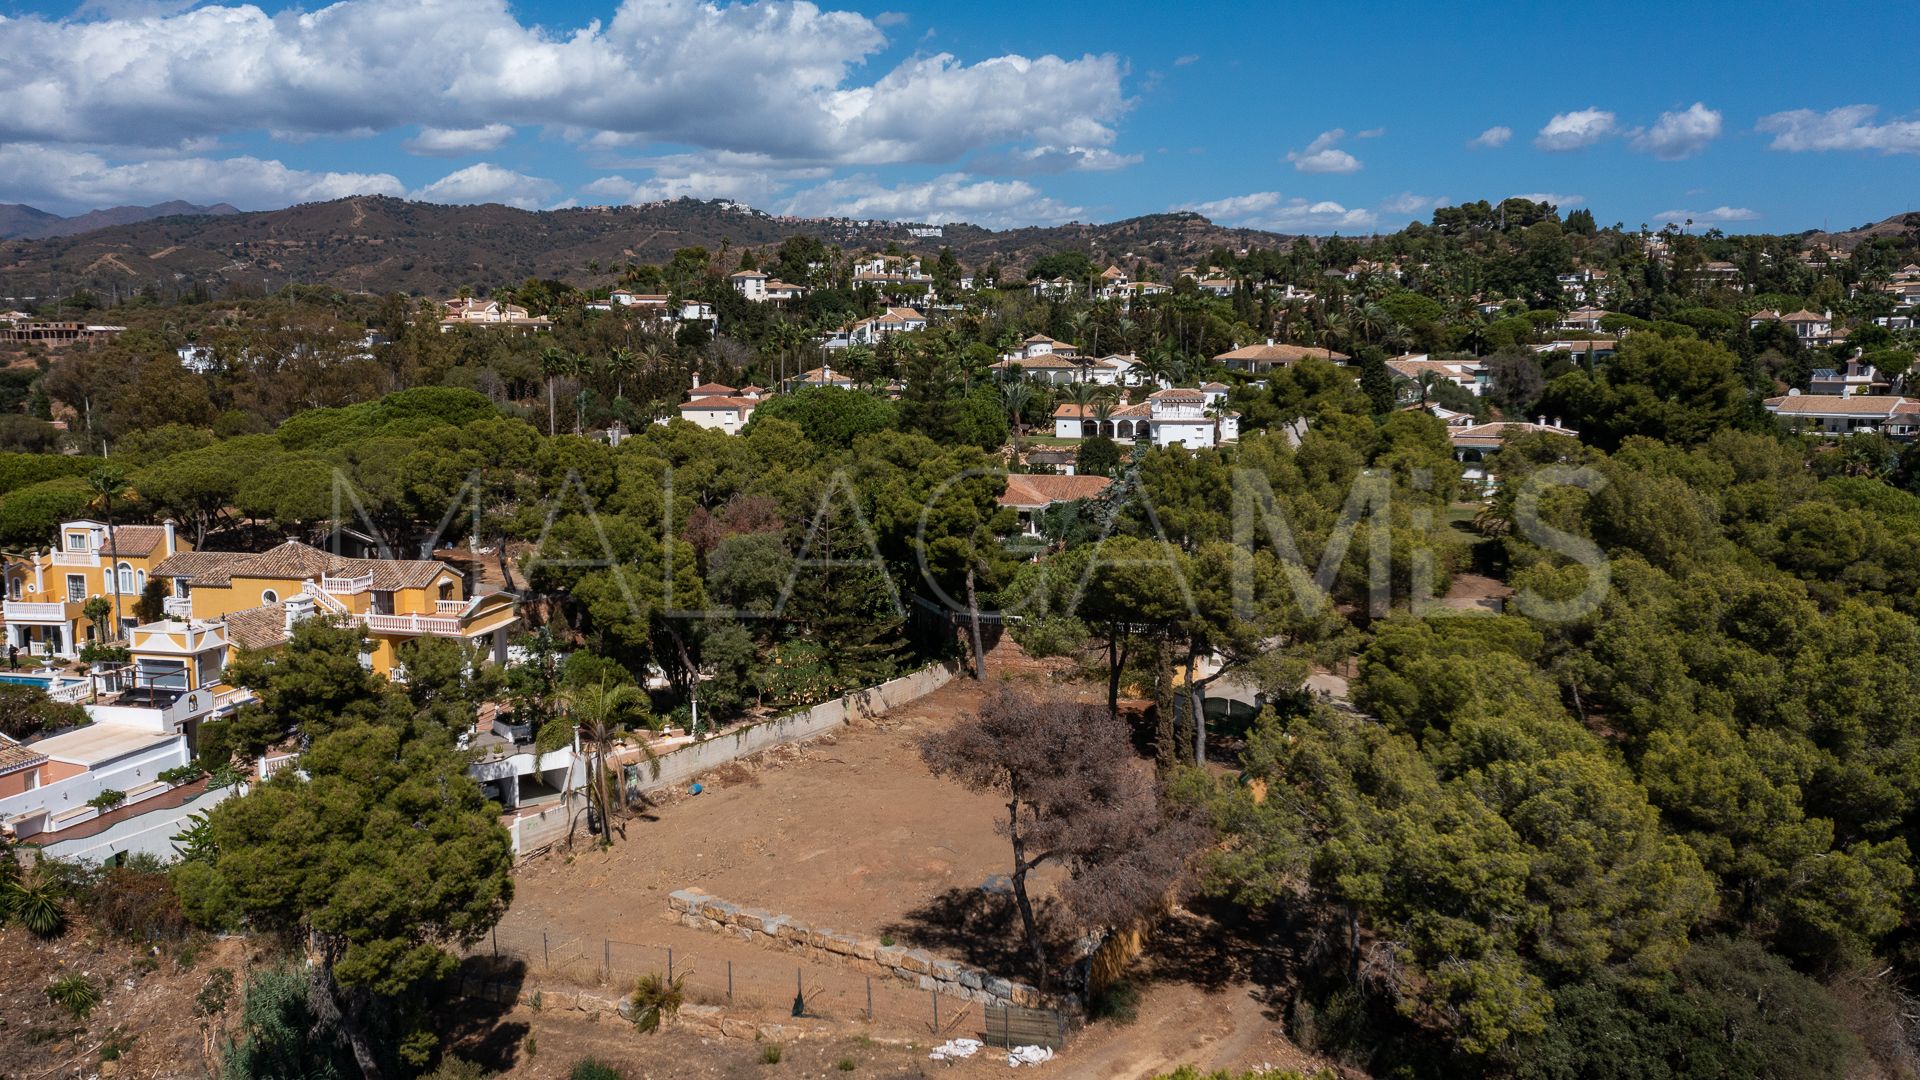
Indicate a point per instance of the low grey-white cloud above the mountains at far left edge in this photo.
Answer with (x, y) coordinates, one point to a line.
(55, 176)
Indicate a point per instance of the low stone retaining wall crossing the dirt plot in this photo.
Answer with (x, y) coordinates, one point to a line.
(917, 968)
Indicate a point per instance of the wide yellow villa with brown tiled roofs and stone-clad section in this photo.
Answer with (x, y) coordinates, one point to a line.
(260, 597)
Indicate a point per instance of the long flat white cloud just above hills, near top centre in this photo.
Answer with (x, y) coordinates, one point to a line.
(940, 201)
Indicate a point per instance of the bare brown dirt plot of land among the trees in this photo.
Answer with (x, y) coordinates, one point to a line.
(852, 833)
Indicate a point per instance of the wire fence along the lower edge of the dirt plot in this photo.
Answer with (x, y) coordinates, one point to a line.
(771, 985)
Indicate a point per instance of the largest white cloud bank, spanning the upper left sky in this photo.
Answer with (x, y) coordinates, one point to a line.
(780, 78)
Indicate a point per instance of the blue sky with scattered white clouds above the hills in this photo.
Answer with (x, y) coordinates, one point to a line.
(1316, 118)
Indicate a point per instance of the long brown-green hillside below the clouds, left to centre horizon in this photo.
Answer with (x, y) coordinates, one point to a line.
(381, 245)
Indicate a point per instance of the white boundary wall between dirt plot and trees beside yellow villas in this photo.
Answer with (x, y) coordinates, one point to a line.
(679, 766)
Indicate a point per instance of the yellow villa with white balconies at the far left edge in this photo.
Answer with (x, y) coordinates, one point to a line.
(47, 591)
